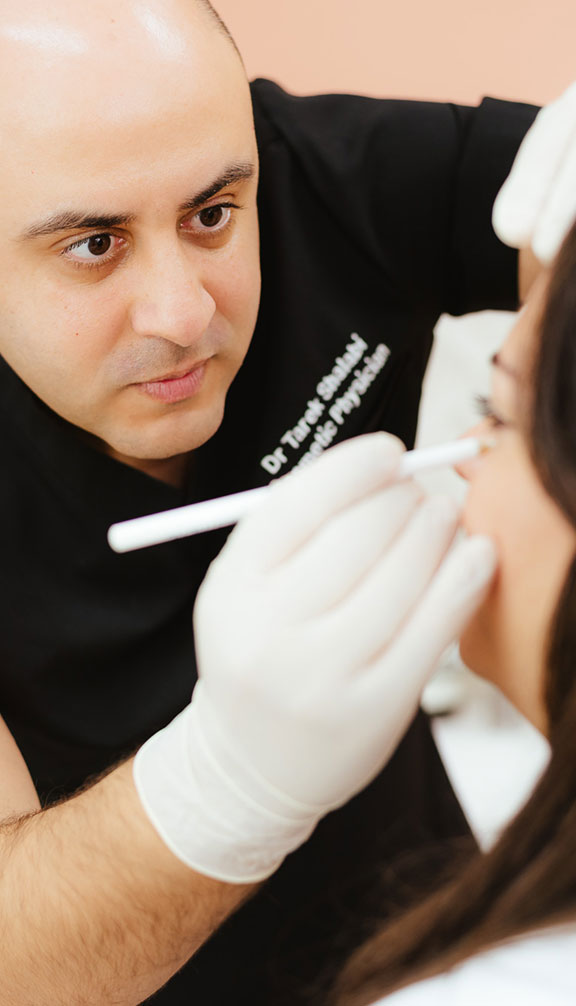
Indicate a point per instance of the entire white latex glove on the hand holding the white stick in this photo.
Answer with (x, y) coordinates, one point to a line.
(317, 628)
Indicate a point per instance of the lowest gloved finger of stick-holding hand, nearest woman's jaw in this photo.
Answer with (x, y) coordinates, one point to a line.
(458, 591)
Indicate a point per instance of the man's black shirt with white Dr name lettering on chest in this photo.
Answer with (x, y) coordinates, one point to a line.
(375, 219)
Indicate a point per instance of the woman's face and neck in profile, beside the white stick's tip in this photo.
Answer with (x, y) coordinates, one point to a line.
(507, 640)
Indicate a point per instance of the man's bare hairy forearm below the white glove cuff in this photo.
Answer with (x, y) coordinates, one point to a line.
(95, 909)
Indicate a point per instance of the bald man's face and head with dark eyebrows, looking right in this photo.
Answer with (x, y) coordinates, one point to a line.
(129, 243)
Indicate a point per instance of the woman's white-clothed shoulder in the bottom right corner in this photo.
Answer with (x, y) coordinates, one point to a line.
(530, 971)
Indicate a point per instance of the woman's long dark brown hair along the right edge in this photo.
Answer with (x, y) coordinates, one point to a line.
(528, 881)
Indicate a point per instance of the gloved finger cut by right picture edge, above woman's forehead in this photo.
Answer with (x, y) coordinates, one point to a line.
(559, 211)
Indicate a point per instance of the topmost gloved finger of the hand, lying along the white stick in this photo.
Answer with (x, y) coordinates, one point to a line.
(300, 505)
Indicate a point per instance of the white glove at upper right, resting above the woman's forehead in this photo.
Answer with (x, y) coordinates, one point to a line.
(537, 205)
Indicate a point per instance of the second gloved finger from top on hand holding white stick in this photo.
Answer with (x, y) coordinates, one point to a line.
(330, 565)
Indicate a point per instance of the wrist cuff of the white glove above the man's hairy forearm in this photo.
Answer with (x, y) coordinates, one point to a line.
(216, 813)
